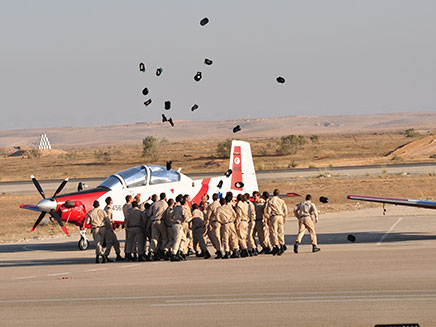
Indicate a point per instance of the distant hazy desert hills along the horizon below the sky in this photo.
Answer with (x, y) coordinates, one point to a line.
(191, 130)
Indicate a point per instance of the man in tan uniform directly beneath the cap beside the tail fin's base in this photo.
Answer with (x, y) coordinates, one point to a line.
(226, 215)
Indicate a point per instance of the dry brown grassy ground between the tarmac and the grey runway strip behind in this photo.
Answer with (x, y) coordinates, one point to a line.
(15, 223)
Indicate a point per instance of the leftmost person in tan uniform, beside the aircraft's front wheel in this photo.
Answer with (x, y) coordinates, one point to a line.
(97, 219)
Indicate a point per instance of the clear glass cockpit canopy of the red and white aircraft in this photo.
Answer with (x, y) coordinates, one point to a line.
(140, 176)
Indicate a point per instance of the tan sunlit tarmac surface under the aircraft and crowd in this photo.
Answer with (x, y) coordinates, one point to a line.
(387, 276)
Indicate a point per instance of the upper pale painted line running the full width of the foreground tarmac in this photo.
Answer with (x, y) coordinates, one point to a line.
(214, 295)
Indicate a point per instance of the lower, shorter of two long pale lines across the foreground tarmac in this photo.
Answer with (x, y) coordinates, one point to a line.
(297, 301)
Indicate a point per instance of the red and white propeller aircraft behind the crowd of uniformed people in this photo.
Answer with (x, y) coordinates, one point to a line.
(145, 180)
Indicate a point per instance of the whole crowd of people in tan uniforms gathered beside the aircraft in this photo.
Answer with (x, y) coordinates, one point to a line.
(173, 229)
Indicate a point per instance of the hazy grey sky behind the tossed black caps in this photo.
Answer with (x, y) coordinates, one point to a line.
(66, 63)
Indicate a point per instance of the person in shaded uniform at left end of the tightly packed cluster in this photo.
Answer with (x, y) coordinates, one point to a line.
(135, 225)
